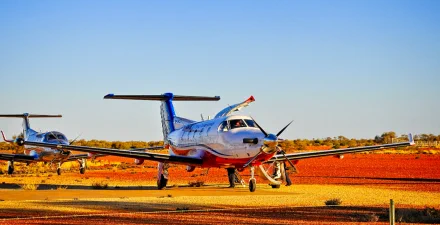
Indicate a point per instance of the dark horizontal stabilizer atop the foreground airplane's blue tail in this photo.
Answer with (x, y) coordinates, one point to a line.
(164, 97)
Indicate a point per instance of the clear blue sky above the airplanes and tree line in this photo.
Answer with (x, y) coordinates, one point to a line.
(354, 68)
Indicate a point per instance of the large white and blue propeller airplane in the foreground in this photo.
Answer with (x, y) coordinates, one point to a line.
(234, 142)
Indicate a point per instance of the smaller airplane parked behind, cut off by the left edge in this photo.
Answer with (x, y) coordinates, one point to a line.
(41, 154)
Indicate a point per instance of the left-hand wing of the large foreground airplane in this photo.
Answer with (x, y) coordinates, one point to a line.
(123, 153)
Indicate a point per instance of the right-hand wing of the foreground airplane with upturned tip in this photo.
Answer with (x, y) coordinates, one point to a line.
(314, 154)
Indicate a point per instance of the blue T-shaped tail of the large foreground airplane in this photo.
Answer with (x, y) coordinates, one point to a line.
(167, 112)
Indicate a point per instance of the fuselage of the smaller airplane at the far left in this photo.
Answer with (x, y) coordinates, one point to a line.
(45, 154)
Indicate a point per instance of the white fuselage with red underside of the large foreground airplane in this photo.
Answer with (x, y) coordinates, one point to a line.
(219, 142)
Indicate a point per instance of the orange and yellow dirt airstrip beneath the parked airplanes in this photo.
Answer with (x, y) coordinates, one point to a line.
(363, 182)
